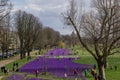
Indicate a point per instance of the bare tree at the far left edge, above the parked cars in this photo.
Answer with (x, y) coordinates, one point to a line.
(5, 8)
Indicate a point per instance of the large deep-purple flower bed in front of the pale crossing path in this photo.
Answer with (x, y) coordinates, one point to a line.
(55, 67)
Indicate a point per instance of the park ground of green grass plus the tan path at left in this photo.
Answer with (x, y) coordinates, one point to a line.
(85, 58)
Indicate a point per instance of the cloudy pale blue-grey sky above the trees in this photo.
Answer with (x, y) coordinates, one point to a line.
(48, 11)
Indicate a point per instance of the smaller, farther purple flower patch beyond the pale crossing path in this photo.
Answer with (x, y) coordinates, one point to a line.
(58, 52)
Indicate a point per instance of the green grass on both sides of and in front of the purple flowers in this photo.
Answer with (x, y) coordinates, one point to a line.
(85, 58)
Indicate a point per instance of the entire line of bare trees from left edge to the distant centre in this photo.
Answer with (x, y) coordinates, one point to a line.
(24, 31)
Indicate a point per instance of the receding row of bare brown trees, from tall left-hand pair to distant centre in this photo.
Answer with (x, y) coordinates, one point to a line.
(32, 34)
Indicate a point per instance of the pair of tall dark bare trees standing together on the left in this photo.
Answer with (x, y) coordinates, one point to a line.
(28, 28)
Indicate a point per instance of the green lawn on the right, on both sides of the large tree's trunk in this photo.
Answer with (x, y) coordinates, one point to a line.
(86, 58)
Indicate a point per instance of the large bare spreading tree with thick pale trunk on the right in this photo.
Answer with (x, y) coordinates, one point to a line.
(101, 26)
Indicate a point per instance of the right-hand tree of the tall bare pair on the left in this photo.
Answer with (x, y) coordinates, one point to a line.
(32, 32)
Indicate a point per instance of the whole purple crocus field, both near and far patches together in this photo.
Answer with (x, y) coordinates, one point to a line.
(55, 66)
